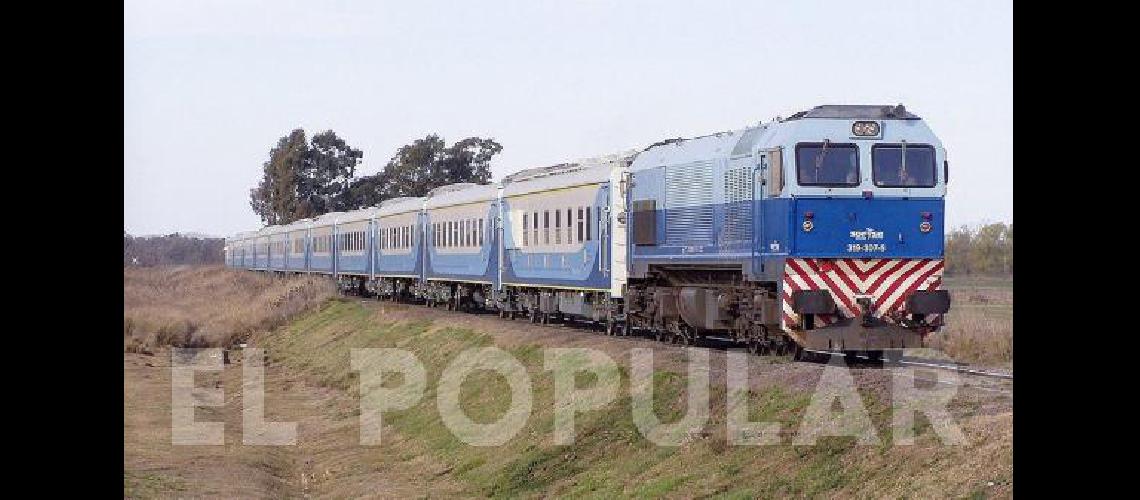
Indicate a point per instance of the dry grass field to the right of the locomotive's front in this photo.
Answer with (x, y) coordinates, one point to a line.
(980, 327)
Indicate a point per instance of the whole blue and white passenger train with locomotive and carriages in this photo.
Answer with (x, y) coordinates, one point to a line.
(818, 233)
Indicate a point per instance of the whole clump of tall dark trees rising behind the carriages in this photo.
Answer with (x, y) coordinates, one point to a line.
(305, 178)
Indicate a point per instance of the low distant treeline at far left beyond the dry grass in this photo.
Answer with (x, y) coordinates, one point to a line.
(172, 250)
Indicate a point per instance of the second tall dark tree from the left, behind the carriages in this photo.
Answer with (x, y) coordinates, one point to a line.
(330, 168)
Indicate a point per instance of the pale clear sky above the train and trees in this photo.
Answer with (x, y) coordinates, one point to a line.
(211, 85)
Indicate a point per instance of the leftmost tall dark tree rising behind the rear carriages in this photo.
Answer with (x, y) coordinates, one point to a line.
(275, 200)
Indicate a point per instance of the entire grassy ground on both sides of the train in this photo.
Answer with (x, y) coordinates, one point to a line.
(310, 382)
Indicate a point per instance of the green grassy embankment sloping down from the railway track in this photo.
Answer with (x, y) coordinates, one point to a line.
(610, 457)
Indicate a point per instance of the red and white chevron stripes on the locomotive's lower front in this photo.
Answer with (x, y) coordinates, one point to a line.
(889, 282)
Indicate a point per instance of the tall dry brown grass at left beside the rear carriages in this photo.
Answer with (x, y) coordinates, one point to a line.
(210, 306)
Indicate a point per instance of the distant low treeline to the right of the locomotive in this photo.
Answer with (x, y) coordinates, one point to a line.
(986, 250)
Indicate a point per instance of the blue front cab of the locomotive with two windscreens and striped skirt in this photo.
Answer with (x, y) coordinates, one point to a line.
(866, 199)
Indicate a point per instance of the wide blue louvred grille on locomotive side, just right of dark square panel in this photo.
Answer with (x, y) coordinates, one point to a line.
(689, 204)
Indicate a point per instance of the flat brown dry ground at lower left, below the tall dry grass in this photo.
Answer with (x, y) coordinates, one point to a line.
(327, 462)
